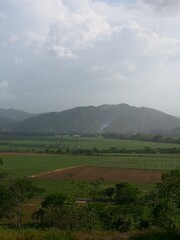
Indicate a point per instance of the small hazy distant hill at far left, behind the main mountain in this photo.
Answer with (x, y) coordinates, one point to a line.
(15, 115)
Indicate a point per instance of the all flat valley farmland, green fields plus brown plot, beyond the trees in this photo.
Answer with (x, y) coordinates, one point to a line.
(80, 174)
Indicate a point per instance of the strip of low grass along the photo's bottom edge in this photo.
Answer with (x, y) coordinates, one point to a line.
(33, 234)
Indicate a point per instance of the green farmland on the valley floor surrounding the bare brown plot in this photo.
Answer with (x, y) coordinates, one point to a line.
(24, 157)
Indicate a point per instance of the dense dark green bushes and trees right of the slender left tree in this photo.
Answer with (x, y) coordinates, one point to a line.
(121, 208)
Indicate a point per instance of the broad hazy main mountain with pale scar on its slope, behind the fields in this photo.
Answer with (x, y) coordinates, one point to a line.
(120, 118)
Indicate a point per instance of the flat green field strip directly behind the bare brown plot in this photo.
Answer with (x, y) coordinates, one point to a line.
(21, 165)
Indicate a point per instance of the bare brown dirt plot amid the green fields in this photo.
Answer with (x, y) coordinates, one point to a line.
(86, 172)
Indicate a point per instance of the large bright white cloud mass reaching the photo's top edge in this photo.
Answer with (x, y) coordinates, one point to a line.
(63, 27)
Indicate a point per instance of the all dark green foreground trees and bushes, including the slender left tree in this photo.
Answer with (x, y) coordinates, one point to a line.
(121, 208)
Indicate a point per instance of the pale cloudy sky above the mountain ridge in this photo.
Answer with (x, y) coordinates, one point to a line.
(59, 54)
